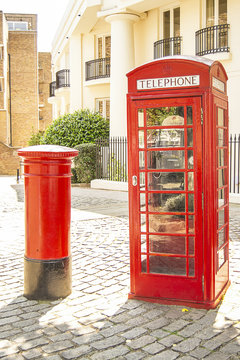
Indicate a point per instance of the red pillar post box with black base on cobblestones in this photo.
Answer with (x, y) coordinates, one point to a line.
(47, 260)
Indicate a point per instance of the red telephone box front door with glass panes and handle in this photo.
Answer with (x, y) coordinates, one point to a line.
(165, 198)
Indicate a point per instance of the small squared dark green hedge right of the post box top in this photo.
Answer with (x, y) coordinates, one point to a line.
(85, 163)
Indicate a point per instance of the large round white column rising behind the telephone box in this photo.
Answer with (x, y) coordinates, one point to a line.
(122, 61)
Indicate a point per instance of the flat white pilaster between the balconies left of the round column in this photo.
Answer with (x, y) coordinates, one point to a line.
(75, 73)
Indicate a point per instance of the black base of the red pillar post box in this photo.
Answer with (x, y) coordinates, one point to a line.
(47, 279)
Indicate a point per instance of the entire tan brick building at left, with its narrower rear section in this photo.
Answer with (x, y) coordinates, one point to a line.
(24, 79)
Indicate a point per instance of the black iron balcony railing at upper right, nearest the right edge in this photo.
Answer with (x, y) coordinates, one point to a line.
(212, 39)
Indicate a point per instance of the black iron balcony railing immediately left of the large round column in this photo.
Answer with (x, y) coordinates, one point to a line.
(97, 69)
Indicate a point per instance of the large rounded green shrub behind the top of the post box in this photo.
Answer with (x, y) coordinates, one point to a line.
(81, 127)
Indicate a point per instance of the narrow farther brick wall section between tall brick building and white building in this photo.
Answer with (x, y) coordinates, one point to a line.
(44, 79)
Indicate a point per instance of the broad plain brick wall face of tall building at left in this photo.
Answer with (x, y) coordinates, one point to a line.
(22, 46)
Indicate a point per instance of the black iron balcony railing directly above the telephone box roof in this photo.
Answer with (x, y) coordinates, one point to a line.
(167, 47)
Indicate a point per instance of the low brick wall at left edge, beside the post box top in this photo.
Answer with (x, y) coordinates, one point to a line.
(9, 160)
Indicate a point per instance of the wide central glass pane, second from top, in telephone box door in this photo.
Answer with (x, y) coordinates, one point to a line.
(165, 138)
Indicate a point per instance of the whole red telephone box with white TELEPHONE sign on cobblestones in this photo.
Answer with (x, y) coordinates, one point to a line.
(178, 181)
